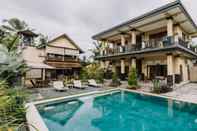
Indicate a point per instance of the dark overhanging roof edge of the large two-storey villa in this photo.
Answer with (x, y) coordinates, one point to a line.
(155, 12)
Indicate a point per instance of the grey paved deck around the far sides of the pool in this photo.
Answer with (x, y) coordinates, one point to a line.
(186, 92)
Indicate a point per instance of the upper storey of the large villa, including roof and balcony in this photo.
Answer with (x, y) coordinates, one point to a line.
(166, 28)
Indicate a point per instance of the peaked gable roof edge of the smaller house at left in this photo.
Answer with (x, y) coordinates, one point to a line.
(69, 39)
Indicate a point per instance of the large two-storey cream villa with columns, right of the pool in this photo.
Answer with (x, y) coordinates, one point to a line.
(158, 44)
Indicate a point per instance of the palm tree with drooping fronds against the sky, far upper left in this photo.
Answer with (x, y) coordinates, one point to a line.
(11, 27)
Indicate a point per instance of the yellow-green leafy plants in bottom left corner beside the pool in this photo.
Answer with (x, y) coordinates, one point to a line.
(12, 109)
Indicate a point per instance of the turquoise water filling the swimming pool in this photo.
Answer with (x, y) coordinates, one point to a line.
(120, 111)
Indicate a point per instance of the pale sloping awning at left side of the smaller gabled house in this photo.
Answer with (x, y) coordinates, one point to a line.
(38, 65)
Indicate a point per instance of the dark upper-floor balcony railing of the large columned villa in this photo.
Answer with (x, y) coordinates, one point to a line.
(148, 45)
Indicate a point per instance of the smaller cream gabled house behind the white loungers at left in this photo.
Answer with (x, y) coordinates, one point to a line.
(55, 60)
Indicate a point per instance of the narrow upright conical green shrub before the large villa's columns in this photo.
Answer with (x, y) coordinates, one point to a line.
(132, 79)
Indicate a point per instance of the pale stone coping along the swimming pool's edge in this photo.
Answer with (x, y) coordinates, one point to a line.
(32, 105)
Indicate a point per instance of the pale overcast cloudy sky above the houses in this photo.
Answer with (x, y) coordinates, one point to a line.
(80, 19)
